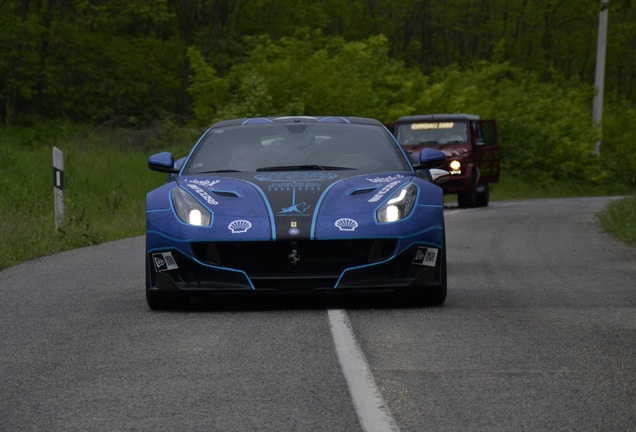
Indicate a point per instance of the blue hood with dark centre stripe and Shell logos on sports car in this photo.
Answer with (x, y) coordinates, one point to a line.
(296, 204)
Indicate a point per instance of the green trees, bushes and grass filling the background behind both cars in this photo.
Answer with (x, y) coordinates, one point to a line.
(110, 81)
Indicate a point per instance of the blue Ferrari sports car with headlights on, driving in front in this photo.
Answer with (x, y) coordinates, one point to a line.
(330, 204)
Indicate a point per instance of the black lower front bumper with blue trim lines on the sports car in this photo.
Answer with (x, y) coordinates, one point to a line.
(268, 266)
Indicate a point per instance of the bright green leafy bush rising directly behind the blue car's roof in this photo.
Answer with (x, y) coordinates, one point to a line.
(310, 74)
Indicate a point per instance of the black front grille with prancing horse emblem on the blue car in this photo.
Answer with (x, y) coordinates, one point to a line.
(275, 259)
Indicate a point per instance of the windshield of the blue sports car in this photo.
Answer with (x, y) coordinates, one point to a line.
(296, 146)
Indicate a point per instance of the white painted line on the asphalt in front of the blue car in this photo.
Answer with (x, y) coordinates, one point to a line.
(372, 411)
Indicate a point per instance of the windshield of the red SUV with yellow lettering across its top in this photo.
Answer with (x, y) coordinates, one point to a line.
(432, 133)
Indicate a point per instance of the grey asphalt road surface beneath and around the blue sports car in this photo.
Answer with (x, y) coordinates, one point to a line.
(538, 334)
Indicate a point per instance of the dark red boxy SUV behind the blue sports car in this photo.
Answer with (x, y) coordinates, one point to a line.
(470, 145)
